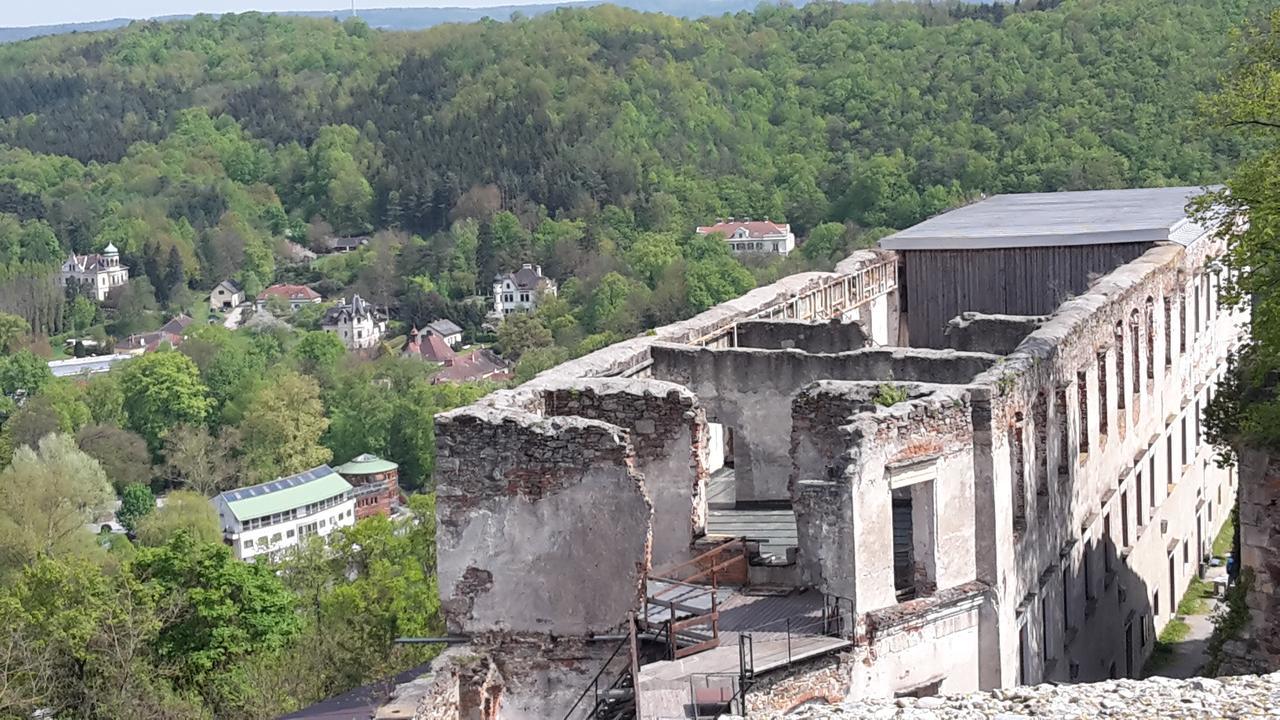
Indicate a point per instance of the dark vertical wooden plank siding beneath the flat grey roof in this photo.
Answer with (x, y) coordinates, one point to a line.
(1016, 281)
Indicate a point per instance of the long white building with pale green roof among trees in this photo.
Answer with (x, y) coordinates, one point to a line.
(269, 518)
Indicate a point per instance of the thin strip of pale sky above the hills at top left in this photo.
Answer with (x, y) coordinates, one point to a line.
(17, 13)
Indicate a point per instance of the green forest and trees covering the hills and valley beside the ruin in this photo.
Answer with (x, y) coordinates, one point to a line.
(589, 142)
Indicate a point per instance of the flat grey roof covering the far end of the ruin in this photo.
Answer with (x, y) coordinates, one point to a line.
(1045, 220)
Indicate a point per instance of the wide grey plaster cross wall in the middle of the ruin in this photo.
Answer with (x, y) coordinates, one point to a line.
(746, 389)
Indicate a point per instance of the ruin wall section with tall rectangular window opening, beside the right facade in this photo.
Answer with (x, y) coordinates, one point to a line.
(847, 450)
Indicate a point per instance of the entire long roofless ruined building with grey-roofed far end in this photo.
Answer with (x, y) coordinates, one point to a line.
(971, 459)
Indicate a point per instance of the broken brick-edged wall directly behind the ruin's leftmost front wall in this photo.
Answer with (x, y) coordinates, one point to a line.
(670, 436)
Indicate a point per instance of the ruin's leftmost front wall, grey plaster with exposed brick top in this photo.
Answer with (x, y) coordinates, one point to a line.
(545, 525)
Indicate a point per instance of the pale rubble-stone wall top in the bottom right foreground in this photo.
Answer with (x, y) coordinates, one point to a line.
(1241, 698)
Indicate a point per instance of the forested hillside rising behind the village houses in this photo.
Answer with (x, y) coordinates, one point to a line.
(606, 134)
